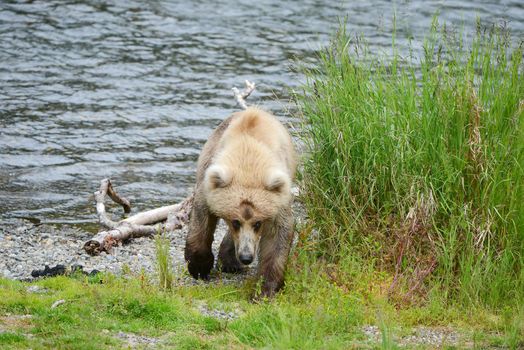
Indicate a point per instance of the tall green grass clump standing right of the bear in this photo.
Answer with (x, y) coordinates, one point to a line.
(416, 166)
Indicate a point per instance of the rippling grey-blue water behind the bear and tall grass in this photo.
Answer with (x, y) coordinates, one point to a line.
(131, 89)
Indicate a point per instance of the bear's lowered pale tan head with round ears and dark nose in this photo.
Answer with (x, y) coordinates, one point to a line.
(249, 207)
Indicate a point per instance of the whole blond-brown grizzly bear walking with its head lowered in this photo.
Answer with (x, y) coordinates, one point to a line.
(244, 177)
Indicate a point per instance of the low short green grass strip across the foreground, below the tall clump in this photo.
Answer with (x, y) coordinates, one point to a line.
(313, 311)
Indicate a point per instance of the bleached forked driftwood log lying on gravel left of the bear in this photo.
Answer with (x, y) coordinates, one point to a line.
(146, 223)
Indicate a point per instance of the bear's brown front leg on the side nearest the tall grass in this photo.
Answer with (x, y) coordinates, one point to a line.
(274, 251)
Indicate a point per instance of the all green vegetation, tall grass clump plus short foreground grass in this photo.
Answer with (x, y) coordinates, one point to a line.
(413, 186)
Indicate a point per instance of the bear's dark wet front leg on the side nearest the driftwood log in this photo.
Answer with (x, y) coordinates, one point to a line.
(198, 255)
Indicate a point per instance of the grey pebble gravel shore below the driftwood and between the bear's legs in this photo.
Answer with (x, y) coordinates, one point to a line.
(25, 247)
